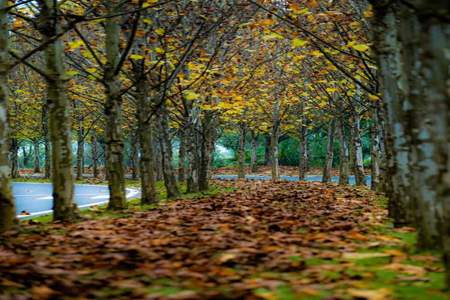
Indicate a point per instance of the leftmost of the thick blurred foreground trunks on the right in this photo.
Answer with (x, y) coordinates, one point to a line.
(393, 81)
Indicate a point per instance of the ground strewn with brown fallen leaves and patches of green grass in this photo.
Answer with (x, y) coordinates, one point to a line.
(263, 241)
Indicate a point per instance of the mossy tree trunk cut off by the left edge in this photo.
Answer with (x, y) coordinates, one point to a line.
(7, 208)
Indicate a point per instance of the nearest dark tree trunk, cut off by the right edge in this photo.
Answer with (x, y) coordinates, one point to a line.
(435, 40)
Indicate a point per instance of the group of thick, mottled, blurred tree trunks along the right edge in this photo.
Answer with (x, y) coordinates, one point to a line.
(412, 43)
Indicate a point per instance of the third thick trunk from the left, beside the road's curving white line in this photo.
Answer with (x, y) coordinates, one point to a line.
(113, 111)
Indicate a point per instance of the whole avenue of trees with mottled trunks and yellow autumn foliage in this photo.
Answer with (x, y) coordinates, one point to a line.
(155, 73)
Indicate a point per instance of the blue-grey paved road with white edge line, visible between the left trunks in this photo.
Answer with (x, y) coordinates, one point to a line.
(36, 198)
